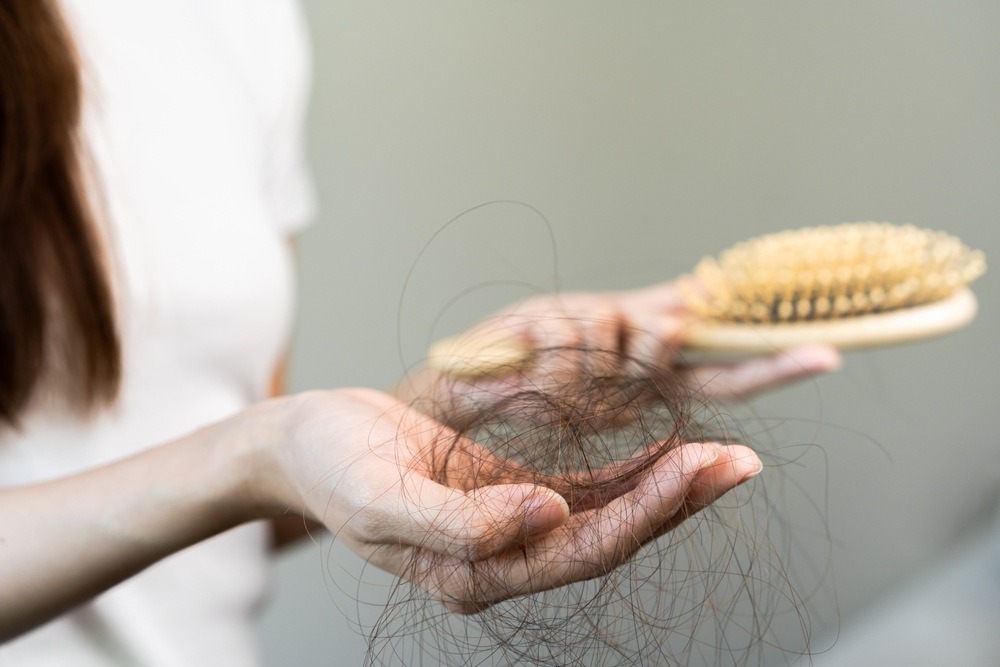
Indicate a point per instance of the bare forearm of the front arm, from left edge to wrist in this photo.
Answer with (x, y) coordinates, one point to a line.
(64, 541)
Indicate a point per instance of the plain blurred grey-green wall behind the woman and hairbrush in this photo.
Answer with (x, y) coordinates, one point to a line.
(648, 134)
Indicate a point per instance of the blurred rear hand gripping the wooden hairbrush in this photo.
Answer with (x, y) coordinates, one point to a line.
(541, 343)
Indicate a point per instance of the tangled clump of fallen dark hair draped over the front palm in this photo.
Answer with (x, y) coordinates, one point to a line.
(704, 593)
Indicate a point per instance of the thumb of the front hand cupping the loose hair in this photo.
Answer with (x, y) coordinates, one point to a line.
(469, 525)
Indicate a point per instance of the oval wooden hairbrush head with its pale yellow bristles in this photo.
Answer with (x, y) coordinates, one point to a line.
(849, 285)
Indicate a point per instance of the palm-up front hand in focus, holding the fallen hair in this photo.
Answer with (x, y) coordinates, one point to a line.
(364, 465)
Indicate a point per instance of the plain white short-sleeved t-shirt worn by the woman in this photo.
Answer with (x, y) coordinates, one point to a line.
(193, 119)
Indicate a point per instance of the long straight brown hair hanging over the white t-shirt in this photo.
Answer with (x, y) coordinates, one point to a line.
(50, 259)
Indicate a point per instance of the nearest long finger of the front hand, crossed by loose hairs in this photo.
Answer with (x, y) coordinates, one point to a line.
(588, 545)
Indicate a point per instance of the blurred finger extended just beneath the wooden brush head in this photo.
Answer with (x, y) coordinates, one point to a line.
(759, 373)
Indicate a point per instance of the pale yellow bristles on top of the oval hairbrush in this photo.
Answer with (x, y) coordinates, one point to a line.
(832, 272)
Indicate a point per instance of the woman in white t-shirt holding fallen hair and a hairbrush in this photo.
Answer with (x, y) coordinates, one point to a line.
(150, 180)
